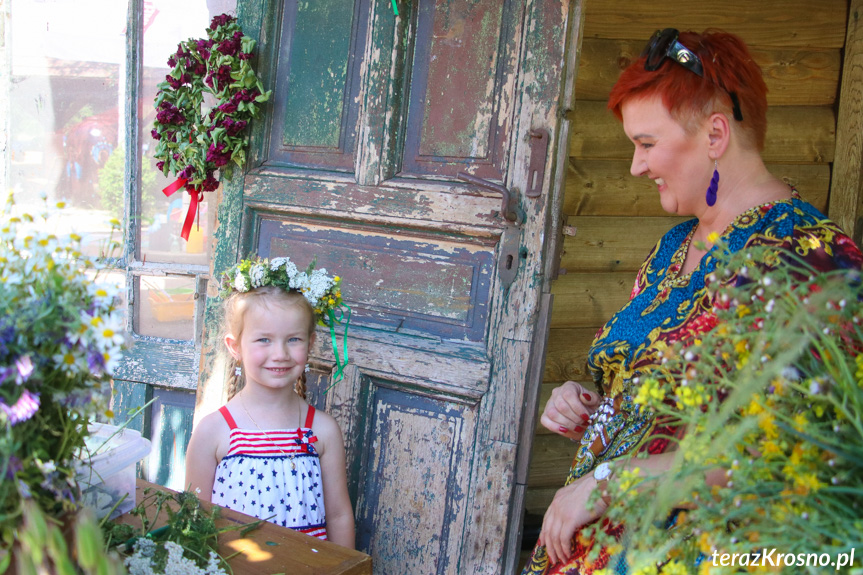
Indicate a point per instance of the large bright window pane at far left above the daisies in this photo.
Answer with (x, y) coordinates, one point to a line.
(66, 100)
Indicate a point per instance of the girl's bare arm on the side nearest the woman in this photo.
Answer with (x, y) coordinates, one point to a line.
(337, 503)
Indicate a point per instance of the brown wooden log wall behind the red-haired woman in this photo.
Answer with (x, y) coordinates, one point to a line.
(613, 218)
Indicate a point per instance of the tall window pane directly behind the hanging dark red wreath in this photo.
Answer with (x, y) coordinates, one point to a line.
(166, 23)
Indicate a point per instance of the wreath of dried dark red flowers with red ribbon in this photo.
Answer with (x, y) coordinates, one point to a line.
(195, 142)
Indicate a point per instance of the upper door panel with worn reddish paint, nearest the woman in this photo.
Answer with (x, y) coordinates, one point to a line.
(461, 88)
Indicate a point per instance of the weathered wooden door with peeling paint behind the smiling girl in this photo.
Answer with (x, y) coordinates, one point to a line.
(357, 163)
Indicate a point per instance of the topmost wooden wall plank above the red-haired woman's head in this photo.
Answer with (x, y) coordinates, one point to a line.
(786, 23)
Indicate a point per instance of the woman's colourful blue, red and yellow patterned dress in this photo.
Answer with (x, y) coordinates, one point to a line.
(666, 306)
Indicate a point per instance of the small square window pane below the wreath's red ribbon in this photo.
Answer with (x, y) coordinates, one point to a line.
(167, 307)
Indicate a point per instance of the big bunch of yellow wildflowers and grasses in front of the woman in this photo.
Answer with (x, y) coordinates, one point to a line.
(771, 402)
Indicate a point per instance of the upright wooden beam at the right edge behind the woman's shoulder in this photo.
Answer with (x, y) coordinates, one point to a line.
(846, 194)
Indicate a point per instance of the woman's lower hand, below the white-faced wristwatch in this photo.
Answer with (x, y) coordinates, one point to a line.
(566, 514)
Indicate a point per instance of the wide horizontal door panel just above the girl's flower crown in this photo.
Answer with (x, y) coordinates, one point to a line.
(384, 272)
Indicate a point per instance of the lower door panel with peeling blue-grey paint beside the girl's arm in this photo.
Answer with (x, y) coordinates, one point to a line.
(410, 516)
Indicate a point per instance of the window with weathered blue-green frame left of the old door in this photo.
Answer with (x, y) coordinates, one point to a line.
(81, 77)
